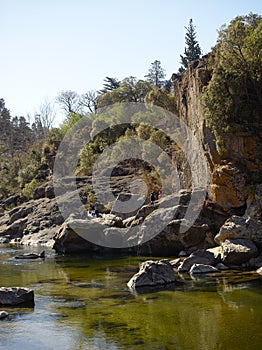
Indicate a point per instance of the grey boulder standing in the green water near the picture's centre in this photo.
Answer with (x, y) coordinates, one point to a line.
(152, 273)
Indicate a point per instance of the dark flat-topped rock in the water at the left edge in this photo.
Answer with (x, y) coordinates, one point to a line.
(16, 295)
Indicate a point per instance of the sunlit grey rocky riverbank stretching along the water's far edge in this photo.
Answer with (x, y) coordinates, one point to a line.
(215, 238)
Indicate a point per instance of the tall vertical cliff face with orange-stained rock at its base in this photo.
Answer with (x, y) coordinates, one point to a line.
(231, 173)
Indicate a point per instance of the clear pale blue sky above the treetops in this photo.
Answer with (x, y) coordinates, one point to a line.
(49, 46)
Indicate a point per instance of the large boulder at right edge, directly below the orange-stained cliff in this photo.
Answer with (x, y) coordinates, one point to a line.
(240, 227)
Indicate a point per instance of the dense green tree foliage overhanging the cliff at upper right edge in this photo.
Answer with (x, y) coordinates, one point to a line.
(233, 97)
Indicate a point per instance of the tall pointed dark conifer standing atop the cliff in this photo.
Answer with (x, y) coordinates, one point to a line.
(192, 49)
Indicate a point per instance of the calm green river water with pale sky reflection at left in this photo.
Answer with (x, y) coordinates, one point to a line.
(83, 303)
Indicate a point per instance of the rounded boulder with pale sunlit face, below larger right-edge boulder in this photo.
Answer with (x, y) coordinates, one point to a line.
(237, 251)
